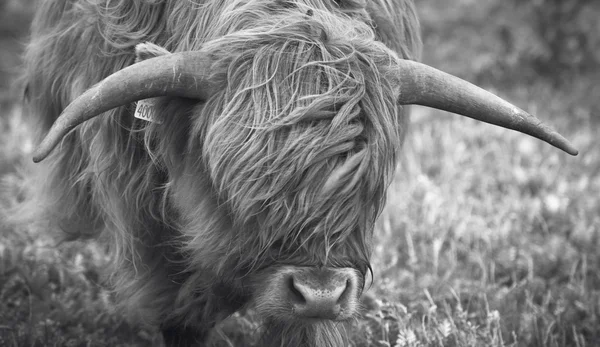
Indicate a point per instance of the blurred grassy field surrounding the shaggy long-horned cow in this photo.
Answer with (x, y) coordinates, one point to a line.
(490, 238)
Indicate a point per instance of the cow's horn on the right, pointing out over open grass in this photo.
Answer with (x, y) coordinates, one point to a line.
(423, 85)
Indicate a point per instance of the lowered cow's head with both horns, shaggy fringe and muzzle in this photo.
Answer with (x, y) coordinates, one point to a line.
(279, 140)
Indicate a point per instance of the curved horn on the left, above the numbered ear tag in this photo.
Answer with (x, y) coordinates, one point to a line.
(182, 74)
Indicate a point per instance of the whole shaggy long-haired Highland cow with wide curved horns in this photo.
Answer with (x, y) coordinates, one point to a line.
(276, 131)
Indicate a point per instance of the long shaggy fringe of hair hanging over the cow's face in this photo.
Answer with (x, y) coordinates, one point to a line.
(302, 107)
